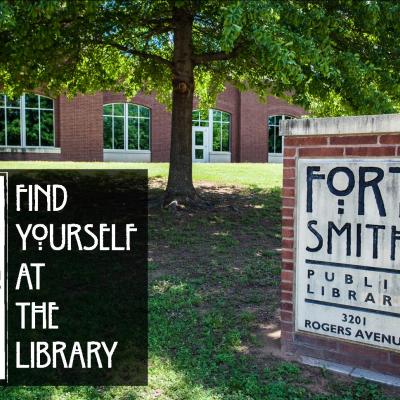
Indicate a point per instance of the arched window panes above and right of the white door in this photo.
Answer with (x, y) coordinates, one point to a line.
(220, 121)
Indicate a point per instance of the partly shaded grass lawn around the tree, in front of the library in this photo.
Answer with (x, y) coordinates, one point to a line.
(214, 285)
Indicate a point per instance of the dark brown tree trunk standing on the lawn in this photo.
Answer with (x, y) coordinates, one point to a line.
(180, 183)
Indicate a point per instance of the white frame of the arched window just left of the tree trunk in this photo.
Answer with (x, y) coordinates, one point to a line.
(126, 136)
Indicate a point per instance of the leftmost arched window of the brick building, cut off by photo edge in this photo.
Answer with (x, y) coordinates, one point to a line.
(27, 121)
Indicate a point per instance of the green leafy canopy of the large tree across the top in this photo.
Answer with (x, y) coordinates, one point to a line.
(331, 56)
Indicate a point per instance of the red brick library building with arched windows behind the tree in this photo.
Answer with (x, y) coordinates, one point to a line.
(107, 127)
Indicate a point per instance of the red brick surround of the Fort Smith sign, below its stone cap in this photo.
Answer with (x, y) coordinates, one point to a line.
(335, 350)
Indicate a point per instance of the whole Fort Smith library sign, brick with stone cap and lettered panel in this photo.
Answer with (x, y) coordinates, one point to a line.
(353, 143)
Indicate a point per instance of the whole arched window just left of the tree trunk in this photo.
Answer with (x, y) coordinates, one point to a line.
(126, 126)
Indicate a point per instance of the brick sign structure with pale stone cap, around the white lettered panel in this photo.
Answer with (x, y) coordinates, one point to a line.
(341, 139)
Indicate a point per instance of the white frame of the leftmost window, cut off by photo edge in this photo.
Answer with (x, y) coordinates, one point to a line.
(22, 109)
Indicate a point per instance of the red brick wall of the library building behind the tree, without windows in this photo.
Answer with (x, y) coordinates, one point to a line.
(79, 126)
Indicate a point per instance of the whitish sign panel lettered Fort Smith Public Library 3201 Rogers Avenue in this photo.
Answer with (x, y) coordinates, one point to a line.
(348, 249)
